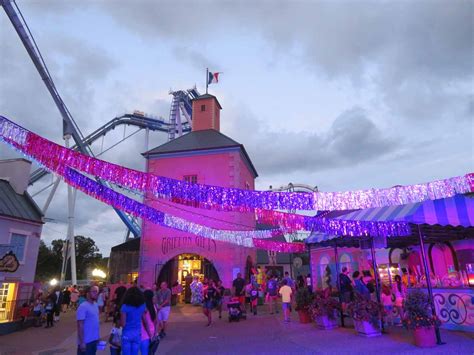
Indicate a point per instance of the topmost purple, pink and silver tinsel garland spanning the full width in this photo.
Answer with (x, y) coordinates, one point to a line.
(230, 199)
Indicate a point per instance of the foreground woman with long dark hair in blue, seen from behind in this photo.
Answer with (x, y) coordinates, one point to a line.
(132, 314)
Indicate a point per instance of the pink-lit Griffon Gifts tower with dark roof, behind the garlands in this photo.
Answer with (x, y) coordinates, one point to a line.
(204, 156)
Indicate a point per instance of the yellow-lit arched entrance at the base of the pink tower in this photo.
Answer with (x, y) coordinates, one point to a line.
(182, 268)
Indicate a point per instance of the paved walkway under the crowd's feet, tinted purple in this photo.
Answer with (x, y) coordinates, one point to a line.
(261, 334)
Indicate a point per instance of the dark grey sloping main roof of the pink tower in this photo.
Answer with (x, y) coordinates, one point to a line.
(208, 139)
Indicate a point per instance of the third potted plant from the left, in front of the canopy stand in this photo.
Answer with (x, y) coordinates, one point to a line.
(366, 314)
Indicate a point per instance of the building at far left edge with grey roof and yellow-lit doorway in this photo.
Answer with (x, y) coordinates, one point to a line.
(20, 231)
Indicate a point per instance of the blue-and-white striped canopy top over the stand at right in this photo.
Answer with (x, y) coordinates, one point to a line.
(455, 211)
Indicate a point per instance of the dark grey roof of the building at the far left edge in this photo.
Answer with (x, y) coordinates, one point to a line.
(18, 206)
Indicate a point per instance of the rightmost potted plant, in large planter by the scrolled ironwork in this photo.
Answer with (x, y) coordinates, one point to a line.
(419, 318)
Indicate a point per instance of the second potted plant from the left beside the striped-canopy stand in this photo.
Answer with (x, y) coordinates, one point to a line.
(323, 310)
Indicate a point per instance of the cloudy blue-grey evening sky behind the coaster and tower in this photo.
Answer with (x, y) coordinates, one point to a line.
(342, 95)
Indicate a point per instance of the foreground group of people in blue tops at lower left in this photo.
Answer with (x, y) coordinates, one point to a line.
(139, 316)
